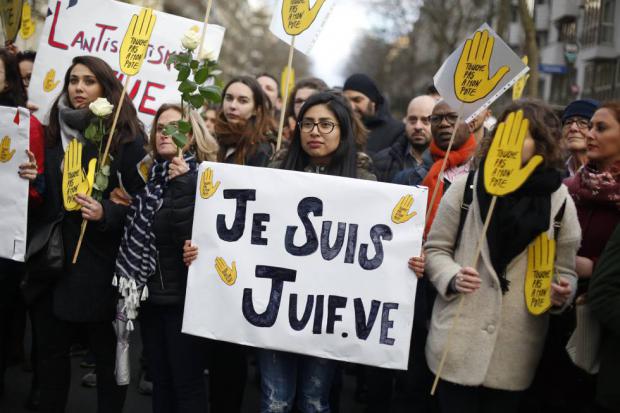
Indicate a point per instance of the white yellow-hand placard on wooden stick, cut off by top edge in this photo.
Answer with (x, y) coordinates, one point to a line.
(298, 24)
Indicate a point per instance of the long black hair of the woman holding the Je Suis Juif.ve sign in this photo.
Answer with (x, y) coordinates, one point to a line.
(343, 161)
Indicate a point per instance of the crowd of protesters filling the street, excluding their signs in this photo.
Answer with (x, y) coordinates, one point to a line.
(503, 358)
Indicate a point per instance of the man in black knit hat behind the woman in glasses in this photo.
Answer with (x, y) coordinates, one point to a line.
(372, 108)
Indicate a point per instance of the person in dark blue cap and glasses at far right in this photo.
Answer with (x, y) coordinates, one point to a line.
(575, 122)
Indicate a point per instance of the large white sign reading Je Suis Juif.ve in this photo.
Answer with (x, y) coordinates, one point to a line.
(300, 266)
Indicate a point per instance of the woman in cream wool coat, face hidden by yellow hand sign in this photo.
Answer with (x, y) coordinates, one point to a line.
(527, 267)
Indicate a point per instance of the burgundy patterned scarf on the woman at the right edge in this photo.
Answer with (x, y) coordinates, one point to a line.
(590, 186)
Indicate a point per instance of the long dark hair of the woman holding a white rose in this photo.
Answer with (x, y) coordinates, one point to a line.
(128, 127)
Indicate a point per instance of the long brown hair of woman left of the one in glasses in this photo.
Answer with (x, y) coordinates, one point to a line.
(246, 136)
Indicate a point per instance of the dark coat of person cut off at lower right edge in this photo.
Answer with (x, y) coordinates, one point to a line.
(604, 299)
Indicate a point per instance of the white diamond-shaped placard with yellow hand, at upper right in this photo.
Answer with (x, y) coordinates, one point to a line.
(478, 72)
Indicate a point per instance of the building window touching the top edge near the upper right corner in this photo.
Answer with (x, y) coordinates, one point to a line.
(598, 22)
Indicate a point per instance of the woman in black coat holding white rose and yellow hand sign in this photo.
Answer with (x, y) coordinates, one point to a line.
(82, 299)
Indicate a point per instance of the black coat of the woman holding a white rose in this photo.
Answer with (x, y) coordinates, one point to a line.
(84, 293)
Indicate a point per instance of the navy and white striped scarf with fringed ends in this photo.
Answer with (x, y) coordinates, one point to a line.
(136, 261)
